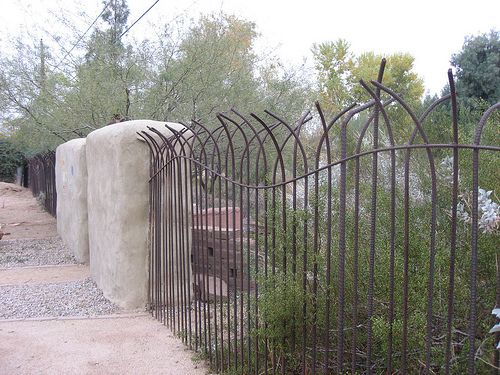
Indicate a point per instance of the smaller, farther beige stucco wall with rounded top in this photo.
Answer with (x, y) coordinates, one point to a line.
(71, 185)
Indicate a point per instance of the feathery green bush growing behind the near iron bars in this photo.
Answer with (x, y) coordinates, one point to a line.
(282, 294)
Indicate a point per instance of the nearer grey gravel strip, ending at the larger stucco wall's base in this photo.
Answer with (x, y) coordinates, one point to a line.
(72, 298)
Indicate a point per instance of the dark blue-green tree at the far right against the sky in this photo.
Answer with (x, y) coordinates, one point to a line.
(478, 67)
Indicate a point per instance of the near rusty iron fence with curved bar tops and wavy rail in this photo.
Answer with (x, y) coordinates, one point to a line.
(349, 245)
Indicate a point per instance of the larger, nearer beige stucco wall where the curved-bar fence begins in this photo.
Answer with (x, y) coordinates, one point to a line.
(118, 204)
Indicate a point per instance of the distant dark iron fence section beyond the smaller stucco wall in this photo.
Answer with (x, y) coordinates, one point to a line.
(42, 180)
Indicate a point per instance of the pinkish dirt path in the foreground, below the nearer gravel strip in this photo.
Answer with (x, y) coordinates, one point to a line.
(130, 345)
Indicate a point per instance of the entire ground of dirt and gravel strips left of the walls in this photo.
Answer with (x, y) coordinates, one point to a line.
(54, 319)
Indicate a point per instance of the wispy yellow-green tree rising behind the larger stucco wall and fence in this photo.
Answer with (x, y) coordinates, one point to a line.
(212, 68)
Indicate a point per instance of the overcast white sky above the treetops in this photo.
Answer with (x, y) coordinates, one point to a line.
(429, 30)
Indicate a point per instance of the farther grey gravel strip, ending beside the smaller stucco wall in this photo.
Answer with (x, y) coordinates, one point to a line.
(34, 252)
